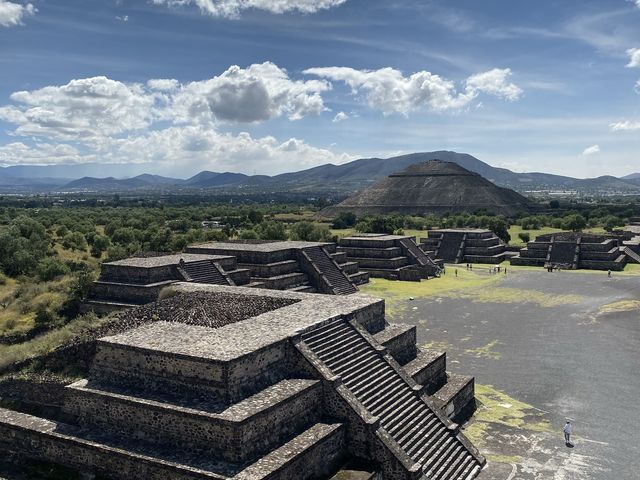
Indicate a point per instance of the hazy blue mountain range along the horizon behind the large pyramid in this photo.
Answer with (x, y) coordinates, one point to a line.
(343, 179)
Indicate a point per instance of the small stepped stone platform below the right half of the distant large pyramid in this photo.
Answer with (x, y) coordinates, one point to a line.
(464, 245)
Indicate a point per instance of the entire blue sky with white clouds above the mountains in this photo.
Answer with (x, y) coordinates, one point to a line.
(267, 86)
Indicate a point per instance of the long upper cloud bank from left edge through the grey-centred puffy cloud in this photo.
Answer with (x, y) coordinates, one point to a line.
(97, 107)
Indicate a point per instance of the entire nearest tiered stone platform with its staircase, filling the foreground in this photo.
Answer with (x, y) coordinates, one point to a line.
(292, 392)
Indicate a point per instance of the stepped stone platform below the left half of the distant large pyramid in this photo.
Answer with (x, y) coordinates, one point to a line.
(394, 257)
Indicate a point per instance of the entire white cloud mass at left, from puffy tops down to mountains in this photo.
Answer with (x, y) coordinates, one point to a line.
(165, 122)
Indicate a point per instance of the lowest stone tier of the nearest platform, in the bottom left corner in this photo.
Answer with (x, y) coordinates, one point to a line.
(313, 453)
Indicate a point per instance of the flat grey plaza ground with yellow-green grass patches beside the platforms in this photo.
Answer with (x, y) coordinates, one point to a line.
(543, 347)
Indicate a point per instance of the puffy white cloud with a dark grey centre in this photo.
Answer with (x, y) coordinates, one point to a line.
(257, 93)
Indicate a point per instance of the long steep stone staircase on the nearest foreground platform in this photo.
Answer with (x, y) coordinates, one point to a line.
(421, 434)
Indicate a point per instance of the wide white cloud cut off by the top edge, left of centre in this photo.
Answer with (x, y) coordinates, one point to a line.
(233, 8)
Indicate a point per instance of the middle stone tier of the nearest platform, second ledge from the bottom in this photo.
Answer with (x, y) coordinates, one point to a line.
(237, 433)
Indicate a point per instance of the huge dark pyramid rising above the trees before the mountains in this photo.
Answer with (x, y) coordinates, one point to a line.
(432, 187)
